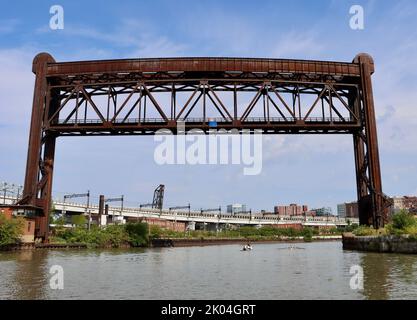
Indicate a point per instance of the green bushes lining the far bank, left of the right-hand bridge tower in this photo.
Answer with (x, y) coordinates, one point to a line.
(140, 234)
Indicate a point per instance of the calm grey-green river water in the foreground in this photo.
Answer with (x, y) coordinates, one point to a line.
(319, 270)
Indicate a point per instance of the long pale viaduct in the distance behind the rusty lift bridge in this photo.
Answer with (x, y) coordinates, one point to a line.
(198, 217)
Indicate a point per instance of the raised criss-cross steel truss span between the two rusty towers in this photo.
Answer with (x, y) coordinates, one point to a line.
(142, 102)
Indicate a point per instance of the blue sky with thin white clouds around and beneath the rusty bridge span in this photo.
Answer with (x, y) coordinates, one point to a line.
(315, 170)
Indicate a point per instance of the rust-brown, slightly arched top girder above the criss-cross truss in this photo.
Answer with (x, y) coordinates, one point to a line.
(203, 65)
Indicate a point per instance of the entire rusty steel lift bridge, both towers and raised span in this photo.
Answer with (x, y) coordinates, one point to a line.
(141, 96)
